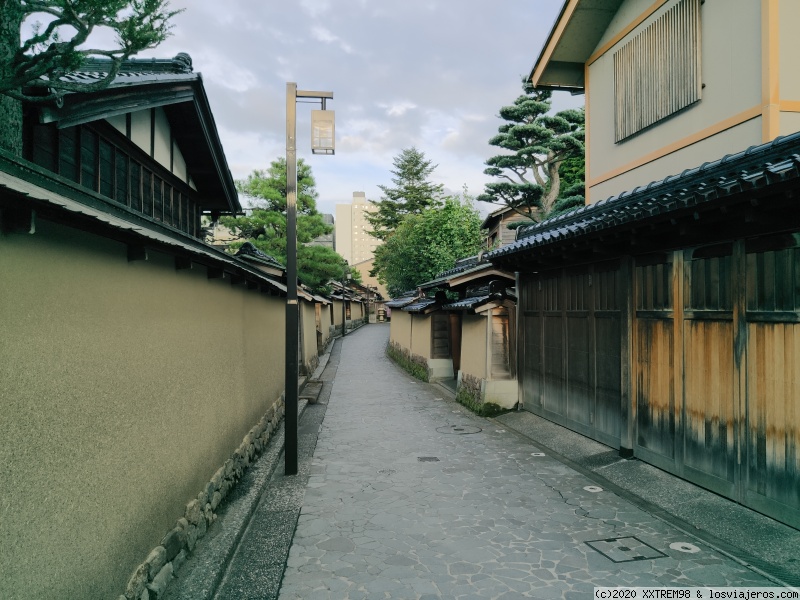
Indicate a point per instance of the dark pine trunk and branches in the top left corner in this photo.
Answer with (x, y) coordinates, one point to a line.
(34, 68)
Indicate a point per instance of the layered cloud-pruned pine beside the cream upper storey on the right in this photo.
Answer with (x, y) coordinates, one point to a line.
(540, 148)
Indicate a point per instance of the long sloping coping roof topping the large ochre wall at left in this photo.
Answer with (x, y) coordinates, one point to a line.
(29, 187)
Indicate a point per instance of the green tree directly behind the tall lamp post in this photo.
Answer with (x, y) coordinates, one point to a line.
(265, 224)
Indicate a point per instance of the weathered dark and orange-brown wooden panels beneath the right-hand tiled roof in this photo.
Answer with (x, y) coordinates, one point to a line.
(713, 357)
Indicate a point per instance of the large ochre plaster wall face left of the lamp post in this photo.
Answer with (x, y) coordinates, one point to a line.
(125, 386)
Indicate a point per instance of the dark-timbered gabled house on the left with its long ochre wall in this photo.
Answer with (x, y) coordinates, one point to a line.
(135, 357)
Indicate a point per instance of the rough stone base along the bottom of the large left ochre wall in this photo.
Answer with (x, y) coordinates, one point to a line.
(150, 579)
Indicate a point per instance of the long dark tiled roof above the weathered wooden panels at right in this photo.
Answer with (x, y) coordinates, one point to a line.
(752, 169)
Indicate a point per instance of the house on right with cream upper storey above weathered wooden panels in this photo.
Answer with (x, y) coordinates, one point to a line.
(663, 319)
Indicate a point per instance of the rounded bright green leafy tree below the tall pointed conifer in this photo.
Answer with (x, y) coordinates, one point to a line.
(428, 243)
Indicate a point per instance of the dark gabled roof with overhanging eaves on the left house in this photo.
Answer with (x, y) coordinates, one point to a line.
(152, 83)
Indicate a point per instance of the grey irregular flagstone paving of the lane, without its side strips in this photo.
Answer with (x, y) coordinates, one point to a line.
(412, 496)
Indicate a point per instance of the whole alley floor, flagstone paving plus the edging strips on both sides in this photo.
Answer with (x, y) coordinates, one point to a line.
(403, 493)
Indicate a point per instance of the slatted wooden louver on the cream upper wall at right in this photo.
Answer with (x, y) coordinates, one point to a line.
(657, 72)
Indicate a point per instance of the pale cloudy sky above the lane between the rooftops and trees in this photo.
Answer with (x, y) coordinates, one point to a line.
(425, 73)
